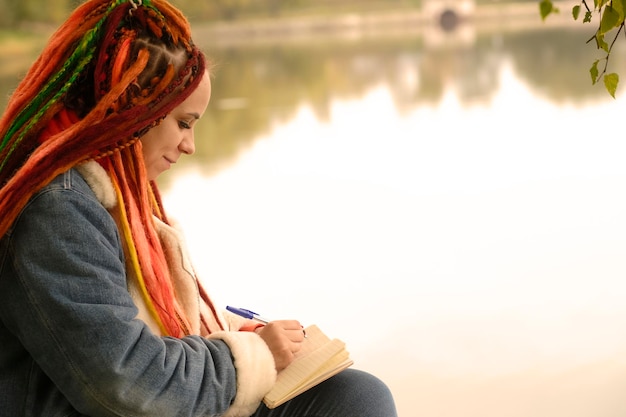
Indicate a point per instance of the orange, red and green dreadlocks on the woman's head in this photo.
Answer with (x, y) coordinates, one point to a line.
(112, 71)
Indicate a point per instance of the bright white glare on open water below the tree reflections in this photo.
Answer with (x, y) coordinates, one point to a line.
(472, 255)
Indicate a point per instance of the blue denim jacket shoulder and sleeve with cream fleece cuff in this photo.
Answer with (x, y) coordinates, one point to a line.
(71, 340)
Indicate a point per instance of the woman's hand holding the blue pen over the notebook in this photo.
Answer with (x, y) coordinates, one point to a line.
(284, 338)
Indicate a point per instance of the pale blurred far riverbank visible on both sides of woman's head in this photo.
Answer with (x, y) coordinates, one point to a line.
(16, 51)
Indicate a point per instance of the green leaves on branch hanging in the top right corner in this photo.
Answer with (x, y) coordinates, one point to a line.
(611, 24)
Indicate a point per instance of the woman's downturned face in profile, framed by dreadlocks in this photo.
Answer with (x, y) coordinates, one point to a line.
(165, 143)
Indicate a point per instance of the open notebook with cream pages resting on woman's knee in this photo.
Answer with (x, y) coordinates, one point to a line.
(318, 359)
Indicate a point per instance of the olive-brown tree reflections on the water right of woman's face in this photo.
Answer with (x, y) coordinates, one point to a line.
(261, 85)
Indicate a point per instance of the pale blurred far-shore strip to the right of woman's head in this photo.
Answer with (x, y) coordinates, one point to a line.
(502, 18)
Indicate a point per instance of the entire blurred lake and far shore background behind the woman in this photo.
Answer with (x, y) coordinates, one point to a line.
(437, 183)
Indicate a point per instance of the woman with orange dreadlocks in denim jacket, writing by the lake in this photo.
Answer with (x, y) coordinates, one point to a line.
(100, 312)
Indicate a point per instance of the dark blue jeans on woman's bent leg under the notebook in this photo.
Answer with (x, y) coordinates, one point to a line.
(351, 393)
